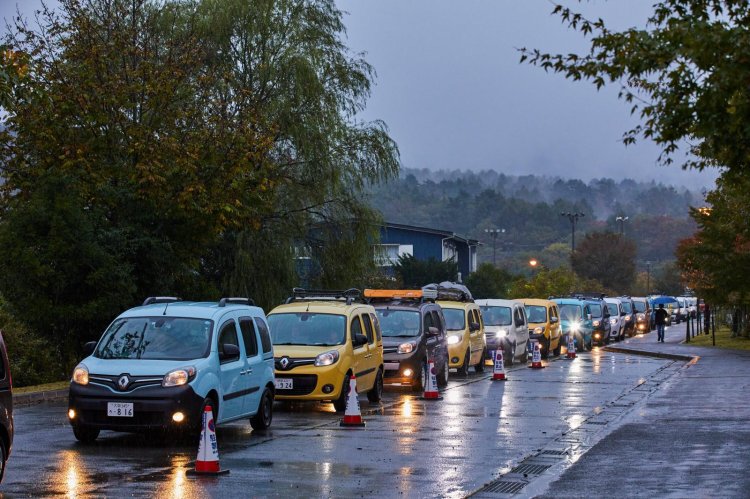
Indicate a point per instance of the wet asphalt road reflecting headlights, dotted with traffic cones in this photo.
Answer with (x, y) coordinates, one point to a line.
(476, 435)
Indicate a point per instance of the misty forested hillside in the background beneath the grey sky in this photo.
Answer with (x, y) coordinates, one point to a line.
(528, 208)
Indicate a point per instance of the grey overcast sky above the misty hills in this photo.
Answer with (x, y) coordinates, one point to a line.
(454, 96)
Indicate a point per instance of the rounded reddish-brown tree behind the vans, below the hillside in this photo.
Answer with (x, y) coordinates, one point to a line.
(607, 258)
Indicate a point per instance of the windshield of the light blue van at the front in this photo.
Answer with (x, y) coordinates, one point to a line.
(156, 338)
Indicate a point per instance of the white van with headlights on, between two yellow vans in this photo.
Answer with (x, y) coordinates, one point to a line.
(506, 327)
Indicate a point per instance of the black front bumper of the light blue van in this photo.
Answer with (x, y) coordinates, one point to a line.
(153, 407)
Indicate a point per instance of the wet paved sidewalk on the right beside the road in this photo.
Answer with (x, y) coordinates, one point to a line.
(691, 438)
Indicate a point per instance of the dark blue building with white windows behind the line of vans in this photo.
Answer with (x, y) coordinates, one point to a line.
(424, 243)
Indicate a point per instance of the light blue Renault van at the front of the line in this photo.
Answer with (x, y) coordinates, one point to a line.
(158, 366)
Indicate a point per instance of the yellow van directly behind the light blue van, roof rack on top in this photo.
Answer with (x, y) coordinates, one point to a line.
(321, 339)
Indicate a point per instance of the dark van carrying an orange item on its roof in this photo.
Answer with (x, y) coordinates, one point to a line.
(413, 328)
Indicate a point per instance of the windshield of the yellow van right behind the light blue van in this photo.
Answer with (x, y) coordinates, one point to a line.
(307, 328)
